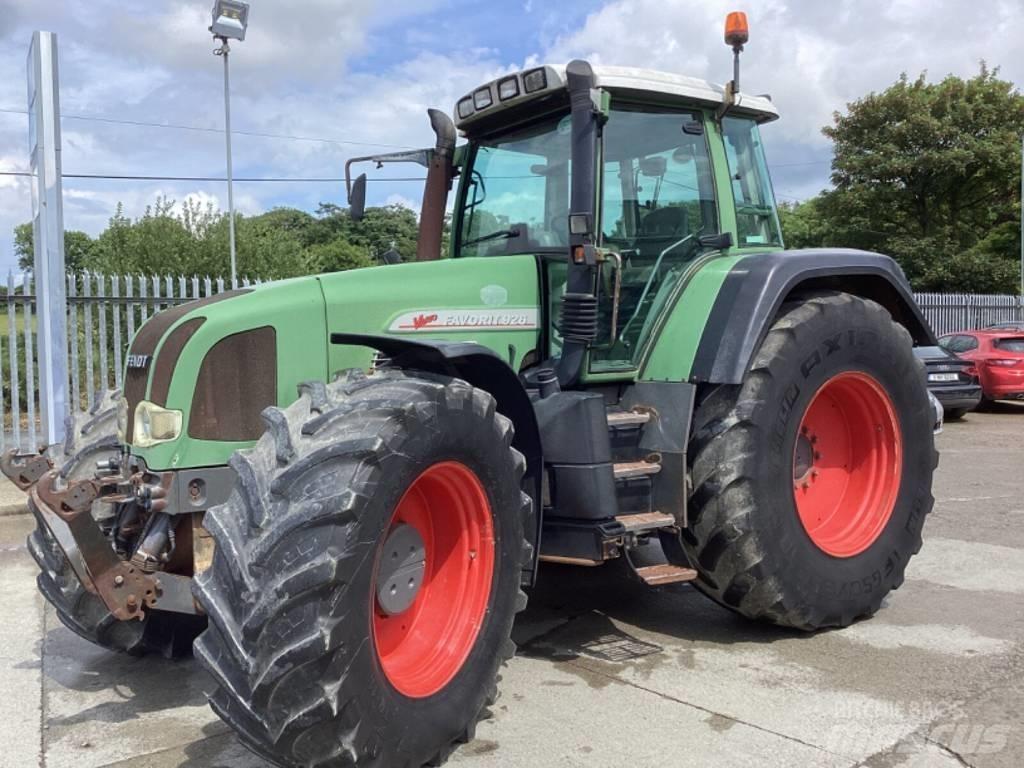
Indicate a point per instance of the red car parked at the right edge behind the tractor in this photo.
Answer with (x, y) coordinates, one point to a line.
(999, 357)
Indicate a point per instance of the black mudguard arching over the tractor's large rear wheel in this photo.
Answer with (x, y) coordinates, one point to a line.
(757, 286)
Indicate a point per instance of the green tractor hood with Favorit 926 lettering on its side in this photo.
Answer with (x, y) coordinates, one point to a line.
(493, 302)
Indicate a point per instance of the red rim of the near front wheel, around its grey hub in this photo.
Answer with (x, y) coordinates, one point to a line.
(423, 649)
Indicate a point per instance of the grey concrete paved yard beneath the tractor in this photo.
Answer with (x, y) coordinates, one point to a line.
(936, 679)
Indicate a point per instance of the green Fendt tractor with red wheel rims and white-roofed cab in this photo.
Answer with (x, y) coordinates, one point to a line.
(617, 361)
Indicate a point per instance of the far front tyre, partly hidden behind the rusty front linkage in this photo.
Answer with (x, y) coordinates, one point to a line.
(91, 438)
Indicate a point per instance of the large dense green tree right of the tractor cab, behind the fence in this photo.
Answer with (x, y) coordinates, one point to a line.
(929, 174)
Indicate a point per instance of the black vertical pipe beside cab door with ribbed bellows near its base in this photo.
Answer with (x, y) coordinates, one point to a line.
(578, 321)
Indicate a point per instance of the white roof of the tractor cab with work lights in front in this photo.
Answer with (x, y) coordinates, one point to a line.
(626, 81)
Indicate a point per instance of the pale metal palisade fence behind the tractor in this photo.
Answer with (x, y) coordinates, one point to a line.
(105, 312)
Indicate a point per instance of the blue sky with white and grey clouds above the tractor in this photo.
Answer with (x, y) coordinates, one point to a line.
(358, 76)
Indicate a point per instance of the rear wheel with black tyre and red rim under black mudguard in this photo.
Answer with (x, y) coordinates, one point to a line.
(750, 537)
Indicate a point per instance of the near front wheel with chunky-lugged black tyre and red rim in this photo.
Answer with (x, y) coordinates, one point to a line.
(296, 644)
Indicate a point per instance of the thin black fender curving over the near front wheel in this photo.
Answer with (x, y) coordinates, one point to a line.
(483, 369)
